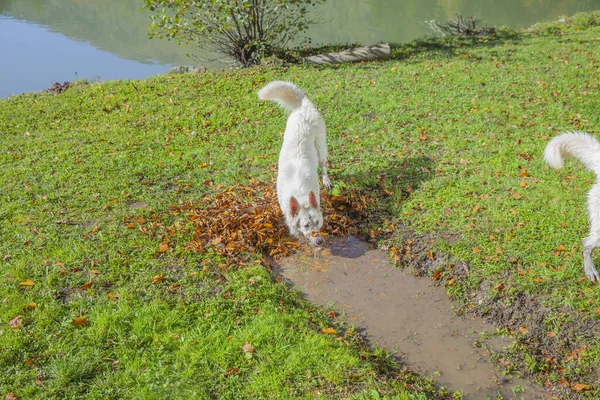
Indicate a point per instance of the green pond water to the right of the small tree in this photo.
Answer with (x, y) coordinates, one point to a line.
(372, 21)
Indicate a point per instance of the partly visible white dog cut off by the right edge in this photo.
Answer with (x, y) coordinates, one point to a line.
(586, 149)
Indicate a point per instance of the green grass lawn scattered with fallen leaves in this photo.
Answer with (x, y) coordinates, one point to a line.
(459, 126)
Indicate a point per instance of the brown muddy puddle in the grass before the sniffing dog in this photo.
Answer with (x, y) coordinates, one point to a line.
(405, 314)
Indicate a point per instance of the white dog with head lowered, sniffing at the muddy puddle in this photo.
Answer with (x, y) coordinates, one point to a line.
(304, 149)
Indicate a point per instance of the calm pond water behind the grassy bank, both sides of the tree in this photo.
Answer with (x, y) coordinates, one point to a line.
(47, 41)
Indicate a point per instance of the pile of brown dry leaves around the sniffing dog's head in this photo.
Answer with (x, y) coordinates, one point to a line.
(246, 218)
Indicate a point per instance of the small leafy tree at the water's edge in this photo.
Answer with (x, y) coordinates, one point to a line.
(244, 30)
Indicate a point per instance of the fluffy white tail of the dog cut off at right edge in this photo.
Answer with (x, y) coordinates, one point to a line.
(579, 145)
